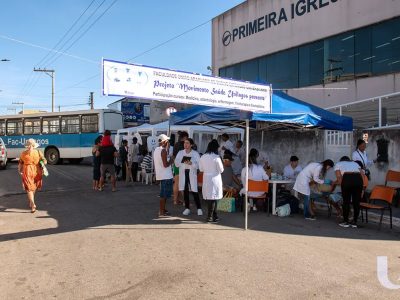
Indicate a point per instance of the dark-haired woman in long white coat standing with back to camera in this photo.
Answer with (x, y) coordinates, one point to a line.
(211, 166)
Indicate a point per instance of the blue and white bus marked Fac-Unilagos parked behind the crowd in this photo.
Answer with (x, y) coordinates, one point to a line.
(61, 135)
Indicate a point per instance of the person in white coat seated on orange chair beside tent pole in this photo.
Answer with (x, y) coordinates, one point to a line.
(256, 173)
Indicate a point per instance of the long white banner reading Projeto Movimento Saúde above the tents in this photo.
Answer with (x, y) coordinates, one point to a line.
(128, 80)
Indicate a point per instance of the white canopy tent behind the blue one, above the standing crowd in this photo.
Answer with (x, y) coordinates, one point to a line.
(201, 135)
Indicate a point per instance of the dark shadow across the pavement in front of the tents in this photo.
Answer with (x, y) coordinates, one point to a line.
(135, 207)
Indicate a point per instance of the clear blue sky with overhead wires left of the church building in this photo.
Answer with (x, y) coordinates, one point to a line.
(72, 36)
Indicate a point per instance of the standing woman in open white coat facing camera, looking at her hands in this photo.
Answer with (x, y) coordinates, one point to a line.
(187, 160)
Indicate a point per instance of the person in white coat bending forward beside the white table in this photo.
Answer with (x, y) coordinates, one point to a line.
(312, 173)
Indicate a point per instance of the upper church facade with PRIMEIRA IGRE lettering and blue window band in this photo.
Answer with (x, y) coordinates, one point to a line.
(325, 52)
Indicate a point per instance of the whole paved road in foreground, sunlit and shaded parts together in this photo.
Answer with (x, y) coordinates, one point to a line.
(83, 244)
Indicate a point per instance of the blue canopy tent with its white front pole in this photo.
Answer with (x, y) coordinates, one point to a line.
(287, 113)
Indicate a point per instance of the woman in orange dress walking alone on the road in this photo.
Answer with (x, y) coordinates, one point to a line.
(31, 171)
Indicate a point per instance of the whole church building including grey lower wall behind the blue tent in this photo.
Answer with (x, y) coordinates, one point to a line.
(342, 55)
